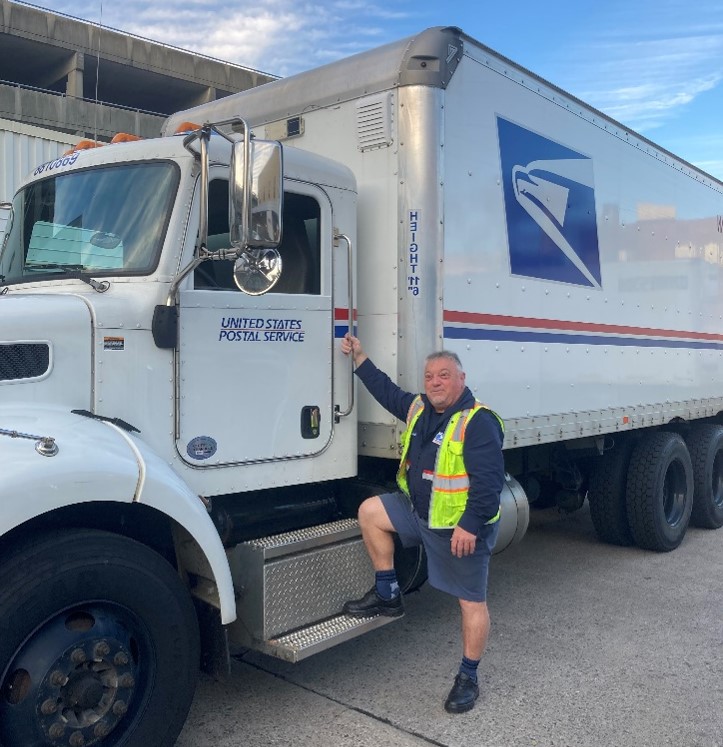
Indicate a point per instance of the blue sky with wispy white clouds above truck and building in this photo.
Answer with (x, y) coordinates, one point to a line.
(656, 66)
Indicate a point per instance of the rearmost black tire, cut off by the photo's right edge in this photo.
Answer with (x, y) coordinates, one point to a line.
(705, 444)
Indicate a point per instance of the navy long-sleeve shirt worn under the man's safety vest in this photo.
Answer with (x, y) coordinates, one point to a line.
(482, 448)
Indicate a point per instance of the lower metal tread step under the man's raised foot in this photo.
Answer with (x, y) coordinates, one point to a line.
(311, 640)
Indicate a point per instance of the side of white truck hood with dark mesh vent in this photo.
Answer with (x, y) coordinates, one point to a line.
(46, 344)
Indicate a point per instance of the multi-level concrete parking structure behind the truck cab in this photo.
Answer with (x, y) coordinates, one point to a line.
(84, 80)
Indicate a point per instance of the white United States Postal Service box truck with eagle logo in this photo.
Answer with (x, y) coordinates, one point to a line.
(184, 446)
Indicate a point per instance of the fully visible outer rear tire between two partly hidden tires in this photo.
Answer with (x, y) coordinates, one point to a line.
(659, 491)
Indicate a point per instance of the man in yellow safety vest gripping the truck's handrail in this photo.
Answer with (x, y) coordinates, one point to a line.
(452, 472)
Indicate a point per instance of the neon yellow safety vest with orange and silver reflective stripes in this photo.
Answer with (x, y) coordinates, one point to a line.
(450, 483)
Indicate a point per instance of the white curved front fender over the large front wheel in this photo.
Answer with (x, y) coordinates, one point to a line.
(97, 461)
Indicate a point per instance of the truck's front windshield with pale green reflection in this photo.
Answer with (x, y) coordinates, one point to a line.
(102, 221)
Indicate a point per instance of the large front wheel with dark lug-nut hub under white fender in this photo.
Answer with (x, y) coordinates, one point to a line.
(98, 638)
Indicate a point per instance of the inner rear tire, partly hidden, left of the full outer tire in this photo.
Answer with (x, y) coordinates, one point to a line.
(606, 496)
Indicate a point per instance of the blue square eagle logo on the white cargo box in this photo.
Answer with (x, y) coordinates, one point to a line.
(549, 208)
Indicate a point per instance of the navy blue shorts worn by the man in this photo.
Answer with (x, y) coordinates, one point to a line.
(464, 578)
